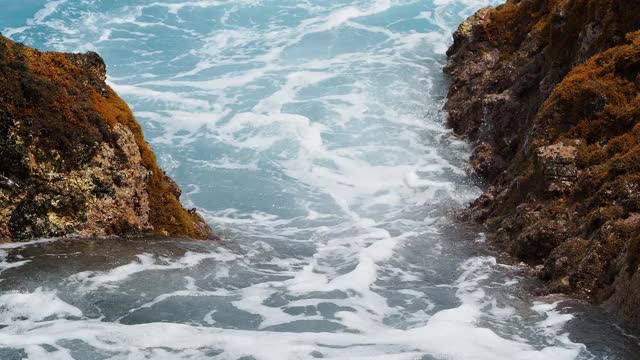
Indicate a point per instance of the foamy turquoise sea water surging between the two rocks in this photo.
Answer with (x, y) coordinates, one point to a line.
(310, 135)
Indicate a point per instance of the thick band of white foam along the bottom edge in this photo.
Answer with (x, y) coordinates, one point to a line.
(446, 336)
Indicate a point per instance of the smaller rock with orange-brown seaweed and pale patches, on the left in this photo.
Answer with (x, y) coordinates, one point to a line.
(73, 158)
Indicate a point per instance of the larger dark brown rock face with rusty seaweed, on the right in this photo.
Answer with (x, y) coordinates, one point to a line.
(549, 91)
